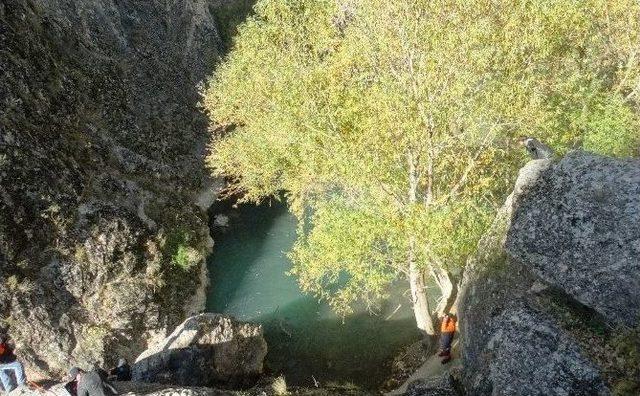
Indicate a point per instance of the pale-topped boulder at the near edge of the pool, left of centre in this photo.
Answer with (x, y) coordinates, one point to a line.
(205, 350)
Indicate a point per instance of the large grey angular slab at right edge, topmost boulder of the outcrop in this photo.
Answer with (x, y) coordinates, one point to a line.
(578, 229)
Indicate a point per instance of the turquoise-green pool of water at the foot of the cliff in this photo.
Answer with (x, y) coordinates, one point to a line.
(306, 339)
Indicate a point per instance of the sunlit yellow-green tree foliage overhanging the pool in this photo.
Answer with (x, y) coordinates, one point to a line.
(390, 124)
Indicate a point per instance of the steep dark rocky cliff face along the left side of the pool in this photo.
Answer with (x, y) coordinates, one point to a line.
(101, 163)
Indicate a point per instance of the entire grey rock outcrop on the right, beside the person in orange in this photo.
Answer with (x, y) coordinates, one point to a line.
(537, 300)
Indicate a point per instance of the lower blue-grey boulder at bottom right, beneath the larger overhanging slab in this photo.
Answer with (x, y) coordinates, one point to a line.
(528, 354)
